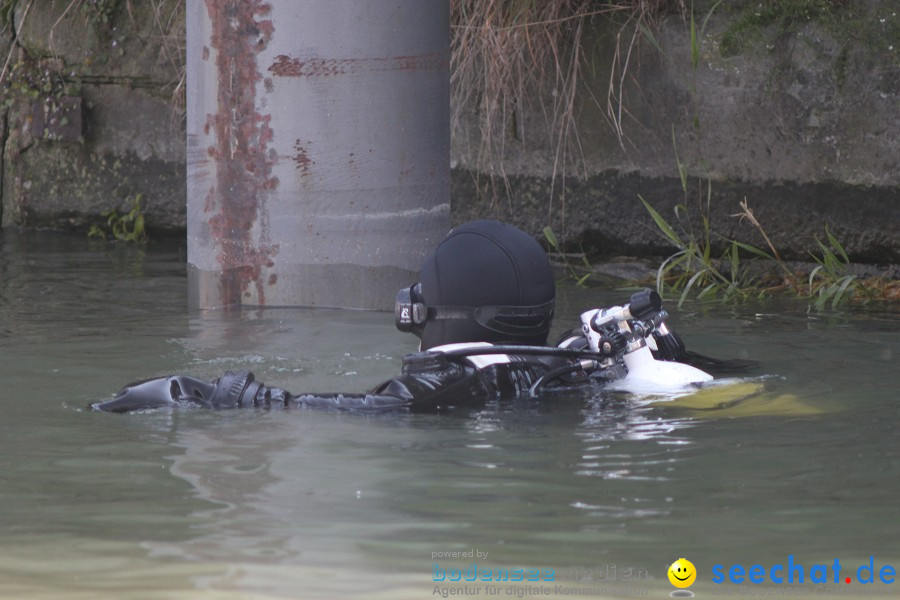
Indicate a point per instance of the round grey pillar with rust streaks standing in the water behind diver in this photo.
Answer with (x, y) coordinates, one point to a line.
(318, 149)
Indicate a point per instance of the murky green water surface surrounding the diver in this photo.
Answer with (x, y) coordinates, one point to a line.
(601, 488)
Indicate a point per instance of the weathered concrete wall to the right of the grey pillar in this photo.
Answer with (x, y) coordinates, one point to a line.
(805, 126)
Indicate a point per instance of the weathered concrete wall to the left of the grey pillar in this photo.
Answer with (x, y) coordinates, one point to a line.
(91, 122)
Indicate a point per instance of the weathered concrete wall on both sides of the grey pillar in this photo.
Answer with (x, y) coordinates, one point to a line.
(804, 125)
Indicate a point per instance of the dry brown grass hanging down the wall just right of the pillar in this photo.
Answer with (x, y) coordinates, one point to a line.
(512, 57)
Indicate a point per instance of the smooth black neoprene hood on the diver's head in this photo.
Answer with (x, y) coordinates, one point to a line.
(493, 271)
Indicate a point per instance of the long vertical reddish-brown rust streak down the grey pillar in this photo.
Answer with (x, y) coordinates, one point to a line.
(237, 200)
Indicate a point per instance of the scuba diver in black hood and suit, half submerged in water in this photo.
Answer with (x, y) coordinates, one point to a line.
(482, 308)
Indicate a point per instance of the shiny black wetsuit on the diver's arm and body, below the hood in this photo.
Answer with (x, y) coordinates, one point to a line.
(437, 380)
